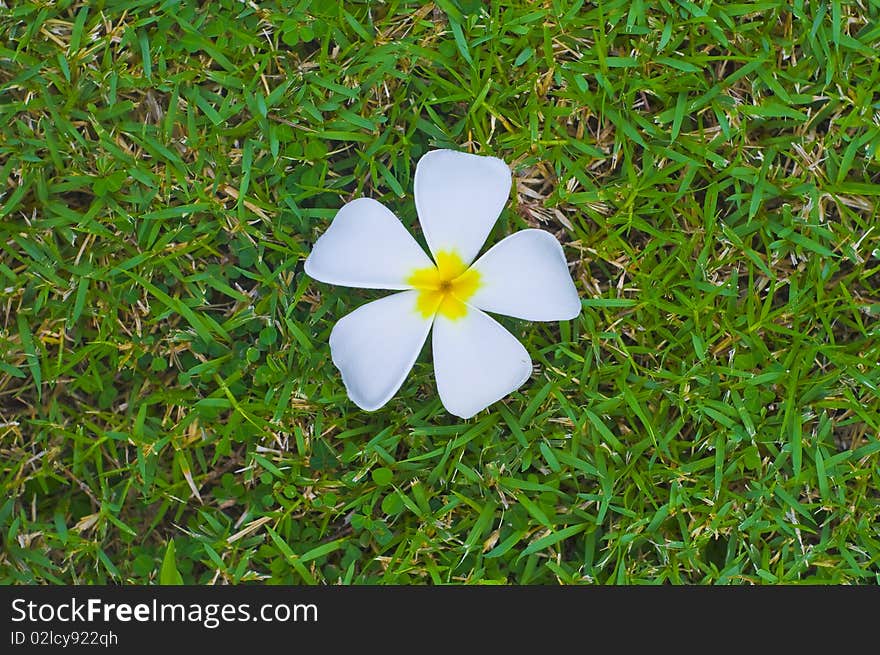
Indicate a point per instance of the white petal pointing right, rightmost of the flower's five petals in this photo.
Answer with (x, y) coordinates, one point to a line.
(526, 276)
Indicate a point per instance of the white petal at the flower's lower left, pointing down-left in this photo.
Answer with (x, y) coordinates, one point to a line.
(376, 345)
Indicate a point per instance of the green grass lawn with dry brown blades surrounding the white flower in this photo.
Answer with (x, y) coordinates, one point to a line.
(712, 170)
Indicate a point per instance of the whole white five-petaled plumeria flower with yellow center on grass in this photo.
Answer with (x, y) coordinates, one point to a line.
(476, 361)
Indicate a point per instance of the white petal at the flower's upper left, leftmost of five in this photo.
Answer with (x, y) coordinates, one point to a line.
(366, 246)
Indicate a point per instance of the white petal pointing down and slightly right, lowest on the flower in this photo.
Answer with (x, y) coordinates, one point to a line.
(476, 362)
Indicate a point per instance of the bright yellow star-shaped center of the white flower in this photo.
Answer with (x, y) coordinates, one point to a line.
(444, 288)
